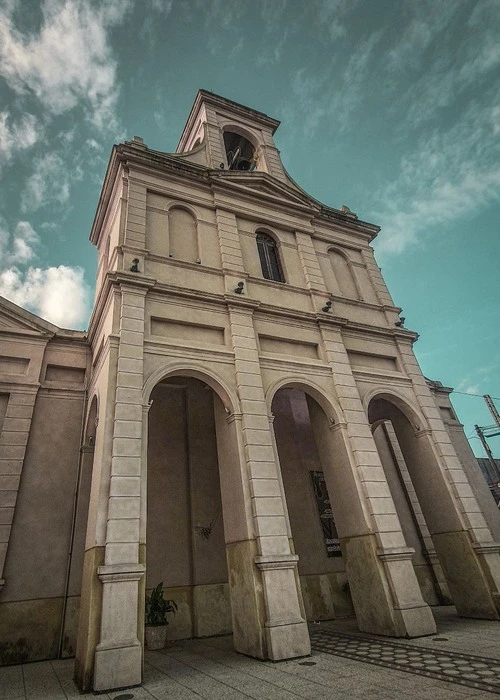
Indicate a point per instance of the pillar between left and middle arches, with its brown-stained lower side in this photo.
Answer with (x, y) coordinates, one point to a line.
(266, 559)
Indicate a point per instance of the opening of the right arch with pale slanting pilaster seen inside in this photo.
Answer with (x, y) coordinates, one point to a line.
(418, 488)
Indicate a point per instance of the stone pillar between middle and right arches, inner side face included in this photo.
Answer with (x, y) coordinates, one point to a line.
(384, 587)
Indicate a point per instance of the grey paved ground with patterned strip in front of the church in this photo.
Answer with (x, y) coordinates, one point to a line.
(210, 669)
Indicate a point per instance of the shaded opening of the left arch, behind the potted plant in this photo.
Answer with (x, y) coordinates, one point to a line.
(185, 533)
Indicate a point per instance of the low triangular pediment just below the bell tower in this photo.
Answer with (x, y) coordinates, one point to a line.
(264, 186)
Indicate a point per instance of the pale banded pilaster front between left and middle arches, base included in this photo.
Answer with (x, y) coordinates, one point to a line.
(285, 631)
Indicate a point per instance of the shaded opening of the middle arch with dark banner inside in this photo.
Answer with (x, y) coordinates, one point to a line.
(310, 474)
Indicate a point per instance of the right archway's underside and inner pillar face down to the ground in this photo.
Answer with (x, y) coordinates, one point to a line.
(402, 437)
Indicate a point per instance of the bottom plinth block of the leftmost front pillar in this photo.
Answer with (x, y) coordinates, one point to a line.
(117, 666)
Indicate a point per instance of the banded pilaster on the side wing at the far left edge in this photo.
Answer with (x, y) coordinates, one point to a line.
(13, 441)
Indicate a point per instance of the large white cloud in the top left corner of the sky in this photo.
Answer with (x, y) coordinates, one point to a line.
(69, 60)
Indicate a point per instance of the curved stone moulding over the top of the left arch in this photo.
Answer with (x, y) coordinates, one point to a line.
(226, 394)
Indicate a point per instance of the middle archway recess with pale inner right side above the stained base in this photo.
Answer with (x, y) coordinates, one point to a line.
(324, 504)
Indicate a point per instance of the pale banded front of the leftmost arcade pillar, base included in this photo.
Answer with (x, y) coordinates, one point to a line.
(118, 656)
